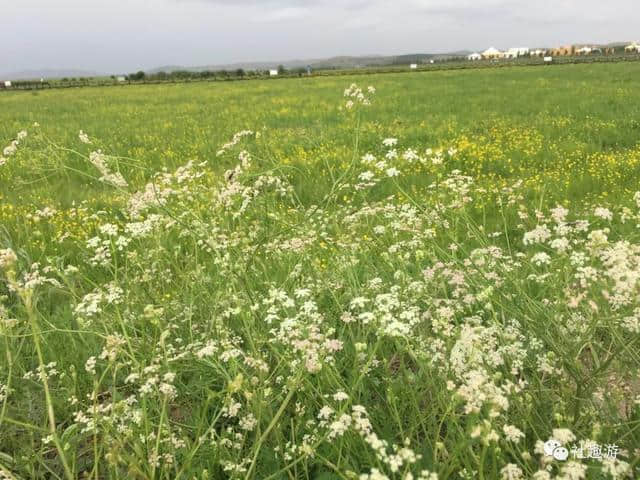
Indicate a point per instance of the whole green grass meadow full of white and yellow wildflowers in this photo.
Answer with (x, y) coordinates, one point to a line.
(262, 280)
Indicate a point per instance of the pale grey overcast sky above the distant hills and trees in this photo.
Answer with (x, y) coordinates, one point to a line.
(125, 35)
